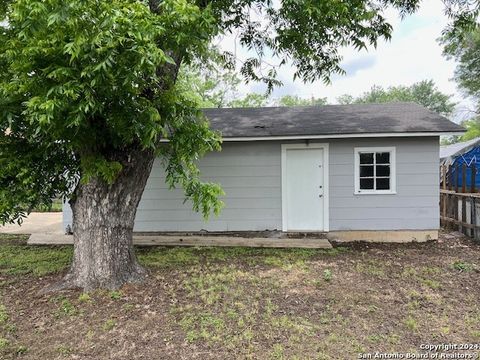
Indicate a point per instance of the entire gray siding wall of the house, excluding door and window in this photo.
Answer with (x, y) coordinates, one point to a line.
(250, 174)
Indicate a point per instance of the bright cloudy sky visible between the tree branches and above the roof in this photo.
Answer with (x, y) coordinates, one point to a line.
(413, 54)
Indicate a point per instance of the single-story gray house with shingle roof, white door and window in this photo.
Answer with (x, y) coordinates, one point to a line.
(356, 172)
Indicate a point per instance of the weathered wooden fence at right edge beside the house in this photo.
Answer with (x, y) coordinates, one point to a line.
(460, 199)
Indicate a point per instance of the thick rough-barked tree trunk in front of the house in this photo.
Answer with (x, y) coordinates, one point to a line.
(103, 219)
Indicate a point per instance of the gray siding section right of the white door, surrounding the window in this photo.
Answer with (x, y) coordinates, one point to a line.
(414, 206)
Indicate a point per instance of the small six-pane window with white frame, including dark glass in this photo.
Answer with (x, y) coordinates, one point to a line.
(375, 170)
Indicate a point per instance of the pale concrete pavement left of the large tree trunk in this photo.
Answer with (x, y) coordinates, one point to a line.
(47, 223)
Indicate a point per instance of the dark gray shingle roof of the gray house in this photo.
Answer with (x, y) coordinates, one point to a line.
(332, 120)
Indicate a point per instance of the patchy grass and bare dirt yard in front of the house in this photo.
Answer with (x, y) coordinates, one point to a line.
(237, 303)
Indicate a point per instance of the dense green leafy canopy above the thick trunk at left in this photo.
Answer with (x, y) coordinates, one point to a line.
(81, 81)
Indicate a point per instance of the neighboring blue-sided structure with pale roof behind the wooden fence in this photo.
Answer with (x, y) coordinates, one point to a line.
(456, 155)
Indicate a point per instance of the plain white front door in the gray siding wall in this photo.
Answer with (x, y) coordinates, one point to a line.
(304, 188)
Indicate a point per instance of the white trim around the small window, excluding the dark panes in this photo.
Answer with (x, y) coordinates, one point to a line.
(393, 172)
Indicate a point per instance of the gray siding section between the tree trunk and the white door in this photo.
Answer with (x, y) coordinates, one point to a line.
(250, 176)
